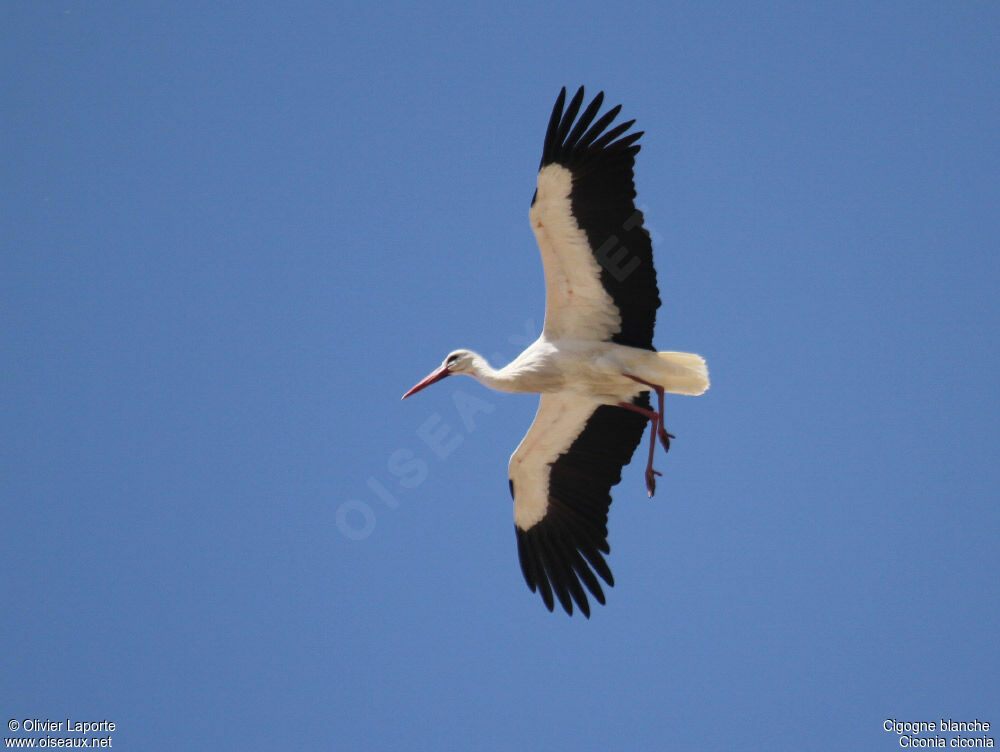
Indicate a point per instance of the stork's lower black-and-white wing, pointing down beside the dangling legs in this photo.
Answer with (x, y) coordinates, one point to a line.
(561, 477)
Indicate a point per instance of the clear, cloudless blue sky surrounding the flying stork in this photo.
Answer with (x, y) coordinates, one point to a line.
(235, 234)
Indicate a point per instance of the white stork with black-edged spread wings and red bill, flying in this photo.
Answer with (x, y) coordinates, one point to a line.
(594, 363)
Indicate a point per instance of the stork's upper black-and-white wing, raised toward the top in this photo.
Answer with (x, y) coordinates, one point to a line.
(600, 283)
